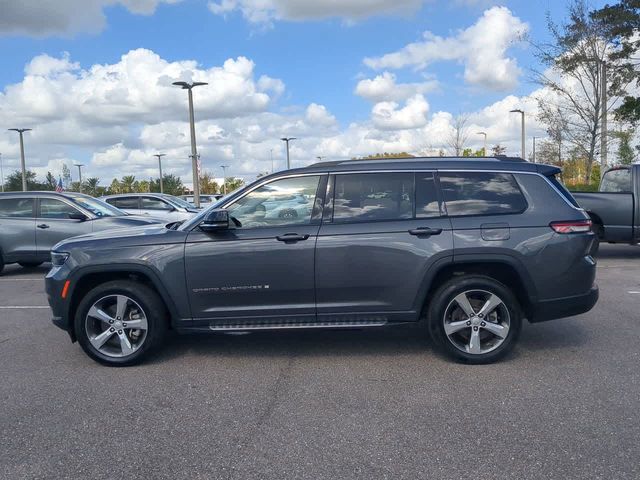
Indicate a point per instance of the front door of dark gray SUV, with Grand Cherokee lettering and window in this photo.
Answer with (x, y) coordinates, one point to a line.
(265, 266)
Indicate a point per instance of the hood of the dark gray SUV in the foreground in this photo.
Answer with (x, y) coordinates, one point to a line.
(117, 236)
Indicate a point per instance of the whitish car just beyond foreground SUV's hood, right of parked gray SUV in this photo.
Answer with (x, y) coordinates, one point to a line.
(166, 207)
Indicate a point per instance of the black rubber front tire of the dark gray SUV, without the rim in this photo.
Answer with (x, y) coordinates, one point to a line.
(153, 309)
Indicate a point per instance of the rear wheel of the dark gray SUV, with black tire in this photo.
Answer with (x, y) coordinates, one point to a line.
(442, 309)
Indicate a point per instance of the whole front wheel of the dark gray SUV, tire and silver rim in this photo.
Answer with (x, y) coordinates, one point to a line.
(118, 323)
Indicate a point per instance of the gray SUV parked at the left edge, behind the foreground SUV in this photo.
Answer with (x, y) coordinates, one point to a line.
(32, 222)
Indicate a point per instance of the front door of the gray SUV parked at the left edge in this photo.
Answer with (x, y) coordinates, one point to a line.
(53, 225)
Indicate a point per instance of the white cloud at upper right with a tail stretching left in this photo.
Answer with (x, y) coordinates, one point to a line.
(481, 48)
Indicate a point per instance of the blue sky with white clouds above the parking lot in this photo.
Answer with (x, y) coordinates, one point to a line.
(347, 78)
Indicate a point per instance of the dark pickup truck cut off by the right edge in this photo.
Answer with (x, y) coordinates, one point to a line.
(615, 208)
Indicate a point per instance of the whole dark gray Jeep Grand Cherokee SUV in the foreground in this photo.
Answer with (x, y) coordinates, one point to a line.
(469, 248)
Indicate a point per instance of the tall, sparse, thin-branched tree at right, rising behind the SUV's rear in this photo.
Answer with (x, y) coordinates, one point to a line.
(573, 78)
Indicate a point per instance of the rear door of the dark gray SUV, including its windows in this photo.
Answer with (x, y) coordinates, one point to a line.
(372, 253)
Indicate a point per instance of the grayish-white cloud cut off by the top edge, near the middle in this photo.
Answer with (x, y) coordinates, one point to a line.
(265, 11)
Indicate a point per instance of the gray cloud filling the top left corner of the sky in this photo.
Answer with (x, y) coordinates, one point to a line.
(46, 17)
